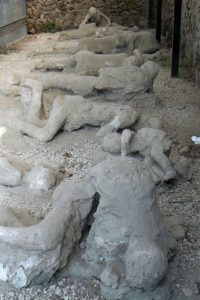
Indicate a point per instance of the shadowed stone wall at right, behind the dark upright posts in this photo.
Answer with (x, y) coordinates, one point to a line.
(190, 34)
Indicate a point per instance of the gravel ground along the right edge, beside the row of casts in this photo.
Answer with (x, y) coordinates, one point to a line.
(180, 116)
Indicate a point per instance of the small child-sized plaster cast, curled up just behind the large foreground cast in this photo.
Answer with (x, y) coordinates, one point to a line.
(152, 144)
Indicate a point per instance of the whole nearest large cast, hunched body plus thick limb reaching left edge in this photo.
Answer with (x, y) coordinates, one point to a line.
(140, 246)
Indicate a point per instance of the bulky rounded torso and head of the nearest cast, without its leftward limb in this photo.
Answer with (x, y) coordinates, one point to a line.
(127, 247)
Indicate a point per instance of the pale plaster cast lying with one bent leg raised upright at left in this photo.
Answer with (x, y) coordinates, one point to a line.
(68, 113)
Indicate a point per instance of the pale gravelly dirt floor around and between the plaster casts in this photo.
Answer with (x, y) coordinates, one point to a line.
(179, 110)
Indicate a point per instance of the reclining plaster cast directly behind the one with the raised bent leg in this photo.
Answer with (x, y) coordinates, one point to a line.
(121, 83)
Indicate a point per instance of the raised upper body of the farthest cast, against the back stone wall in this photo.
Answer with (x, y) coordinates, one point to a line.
(97, 17)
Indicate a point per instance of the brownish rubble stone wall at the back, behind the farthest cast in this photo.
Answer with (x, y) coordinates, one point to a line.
(66, 14)
